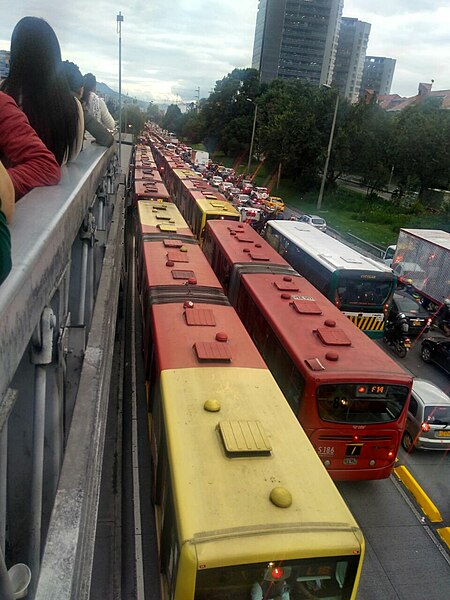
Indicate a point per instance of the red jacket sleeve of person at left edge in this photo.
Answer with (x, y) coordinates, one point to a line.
(28, 161)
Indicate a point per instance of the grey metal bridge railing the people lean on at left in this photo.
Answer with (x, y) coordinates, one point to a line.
(57, 321)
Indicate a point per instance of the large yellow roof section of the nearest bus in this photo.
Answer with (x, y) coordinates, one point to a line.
(218, 497)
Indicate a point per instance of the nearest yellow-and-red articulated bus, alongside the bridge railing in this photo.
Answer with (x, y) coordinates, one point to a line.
(244, 507)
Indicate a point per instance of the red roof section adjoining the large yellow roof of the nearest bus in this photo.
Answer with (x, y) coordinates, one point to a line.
(203, 335)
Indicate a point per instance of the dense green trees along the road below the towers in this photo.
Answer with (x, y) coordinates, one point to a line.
(409, 149)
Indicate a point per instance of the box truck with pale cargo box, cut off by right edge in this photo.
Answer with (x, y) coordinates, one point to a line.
(422, 259)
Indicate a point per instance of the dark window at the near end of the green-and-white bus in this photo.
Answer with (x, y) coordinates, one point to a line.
(363, 292)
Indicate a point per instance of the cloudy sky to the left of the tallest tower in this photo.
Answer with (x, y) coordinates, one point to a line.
(169, 49)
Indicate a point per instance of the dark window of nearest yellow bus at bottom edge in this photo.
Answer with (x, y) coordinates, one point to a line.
(330, 577)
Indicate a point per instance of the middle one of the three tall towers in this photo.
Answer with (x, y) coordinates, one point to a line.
(350, 57)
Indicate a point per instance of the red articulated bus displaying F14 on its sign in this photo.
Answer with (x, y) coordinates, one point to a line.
(350, 397)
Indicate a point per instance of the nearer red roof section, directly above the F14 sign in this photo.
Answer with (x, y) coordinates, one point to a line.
(320, 338)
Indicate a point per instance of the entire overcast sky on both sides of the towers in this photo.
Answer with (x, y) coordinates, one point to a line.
(170, 48)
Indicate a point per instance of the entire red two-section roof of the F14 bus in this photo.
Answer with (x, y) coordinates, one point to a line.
(317, 335)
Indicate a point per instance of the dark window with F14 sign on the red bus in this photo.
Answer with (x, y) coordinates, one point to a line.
(361, 403)
